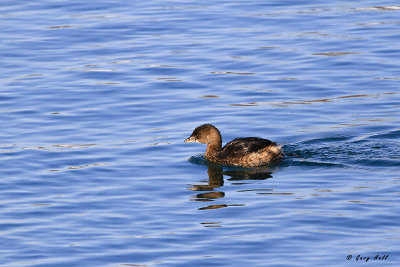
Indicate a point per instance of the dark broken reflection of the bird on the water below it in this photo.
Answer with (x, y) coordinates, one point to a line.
(216, 174)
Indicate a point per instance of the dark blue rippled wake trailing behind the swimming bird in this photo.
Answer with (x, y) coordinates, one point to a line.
(372, 150)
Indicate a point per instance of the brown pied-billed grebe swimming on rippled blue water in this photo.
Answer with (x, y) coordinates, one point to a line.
(245, 152)
